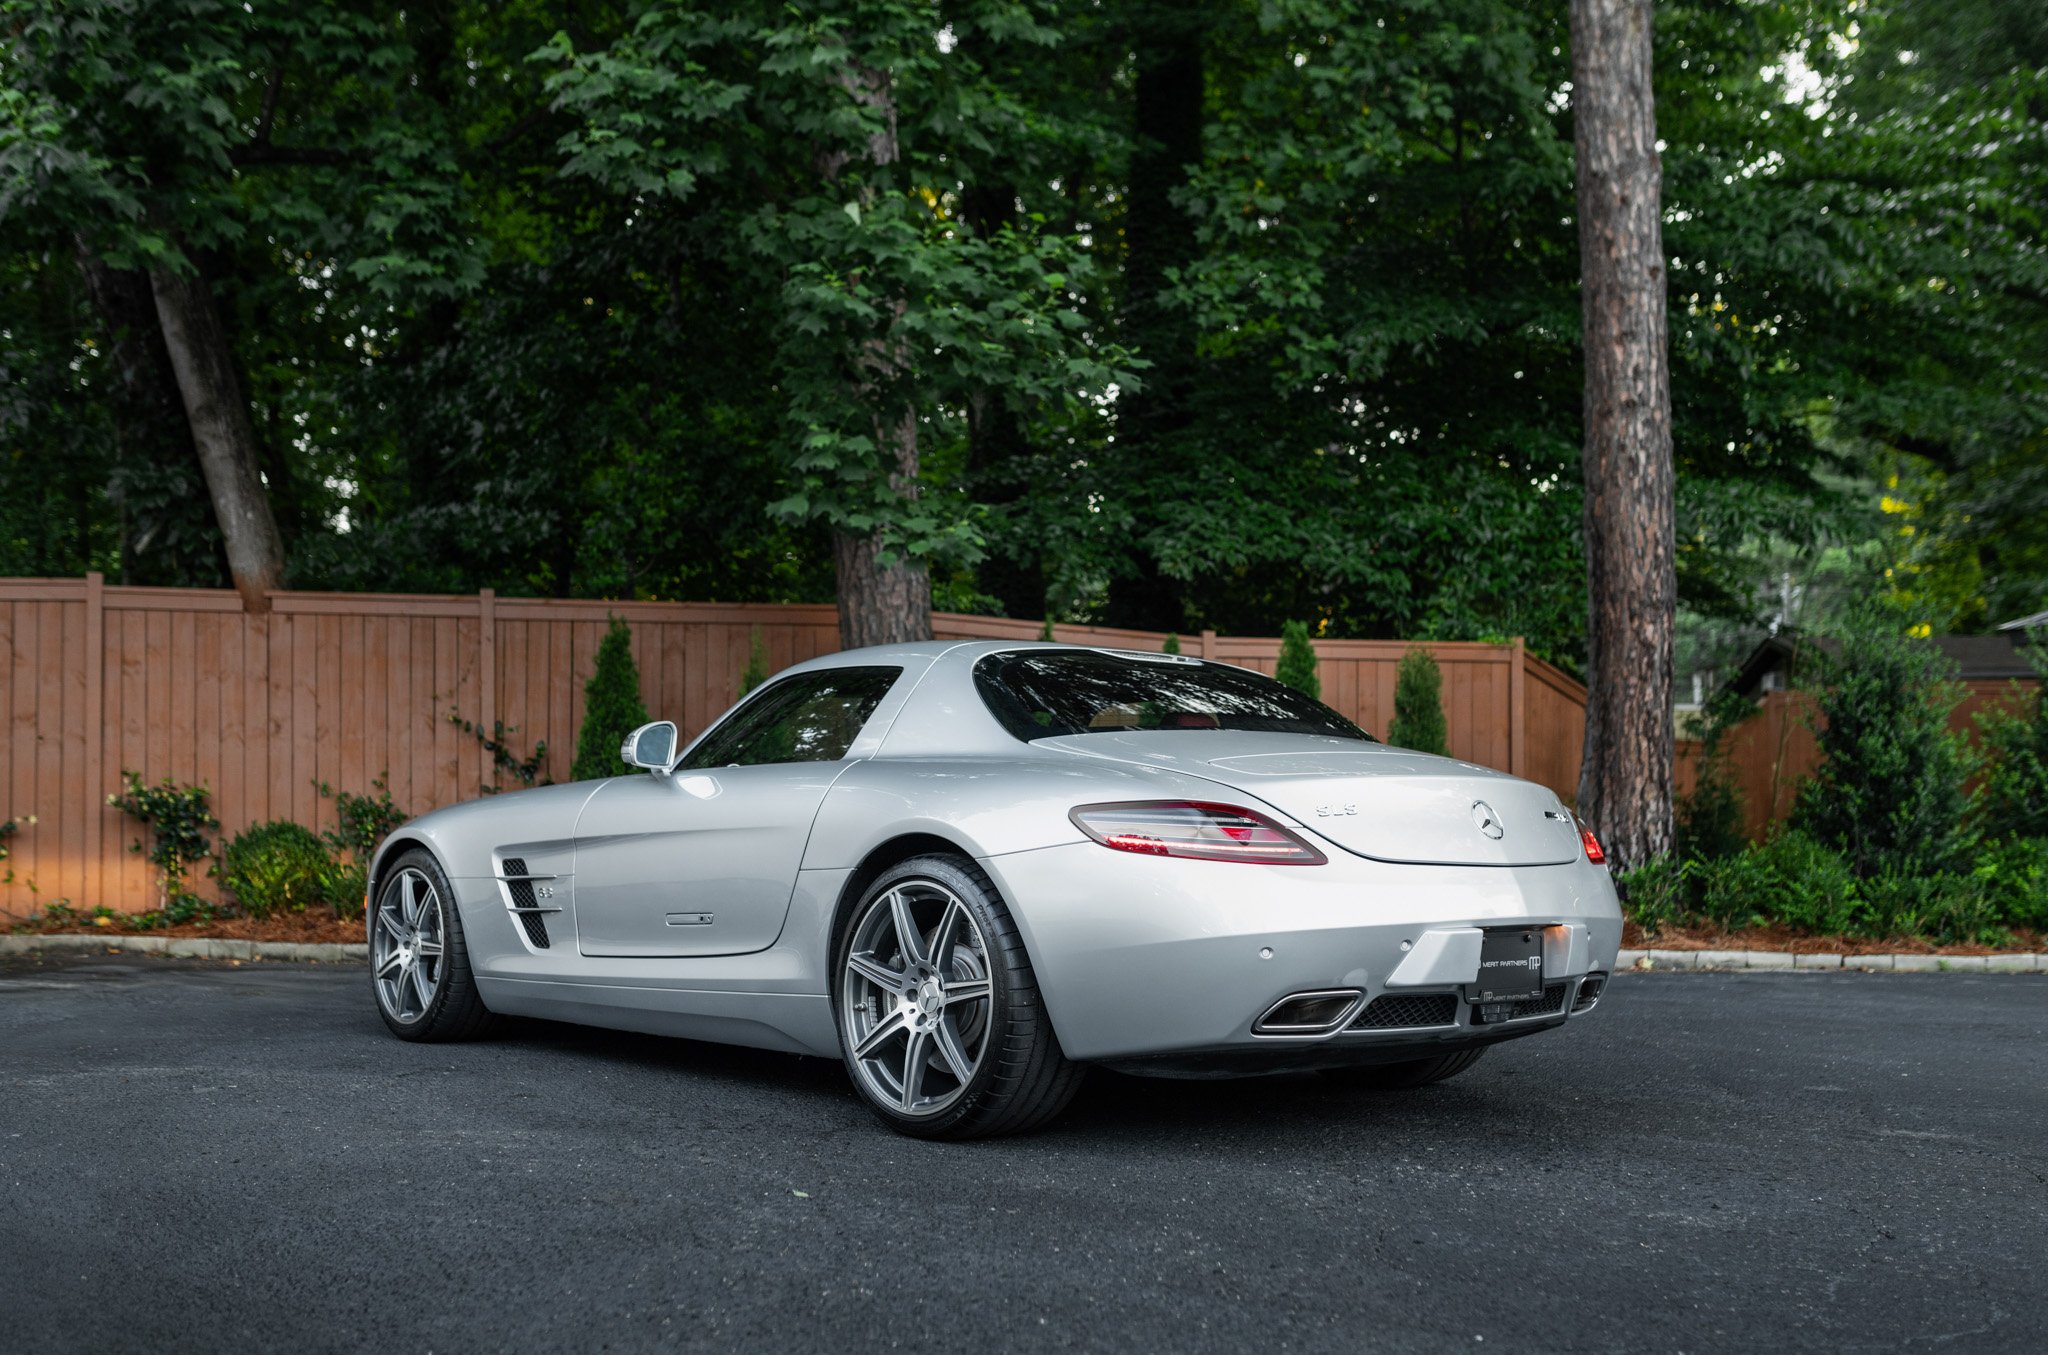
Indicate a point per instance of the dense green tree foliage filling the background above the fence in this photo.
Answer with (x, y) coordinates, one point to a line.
(1177, 314)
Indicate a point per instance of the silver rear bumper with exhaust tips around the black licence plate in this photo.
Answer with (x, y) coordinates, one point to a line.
(1170, 965)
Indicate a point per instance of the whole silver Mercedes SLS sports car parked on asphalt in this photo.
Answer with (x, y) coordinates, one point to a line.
(972, 871)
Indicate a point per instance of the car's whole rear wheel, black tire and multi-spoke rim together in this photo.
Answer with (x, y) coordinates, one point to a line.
(939, 1014)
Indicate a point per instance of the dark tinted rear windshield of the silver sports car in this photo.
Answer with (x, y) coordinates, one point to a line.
(1046, 693)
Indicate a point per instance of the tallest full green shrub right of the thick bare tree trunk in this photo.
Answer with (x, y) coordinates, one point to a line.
(1889, 793)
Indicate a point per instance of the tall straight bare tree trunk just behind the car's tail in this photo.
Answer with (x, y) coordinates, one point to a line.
(1625, 783)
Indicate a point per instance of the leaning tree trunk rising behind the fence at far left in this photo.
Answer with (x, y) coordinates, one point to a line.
(222, 433)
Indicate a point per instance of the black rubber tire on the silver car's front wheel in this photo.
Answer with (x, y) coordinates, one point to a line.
(454, 1008)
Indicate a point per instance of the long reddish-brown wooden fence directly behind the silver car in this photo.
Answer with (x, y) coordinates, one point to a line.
(345, 689)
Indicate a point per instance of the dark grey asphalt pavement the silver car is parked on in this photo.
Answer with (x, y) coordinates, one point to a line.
(200, 1157)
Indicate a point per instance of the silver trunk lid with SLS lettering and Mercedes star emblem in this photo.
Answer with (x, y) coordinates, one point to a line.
(1377, 801)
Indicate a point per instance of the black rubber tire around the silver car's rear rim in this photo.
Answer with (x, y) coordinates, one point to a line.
(1021, 1078)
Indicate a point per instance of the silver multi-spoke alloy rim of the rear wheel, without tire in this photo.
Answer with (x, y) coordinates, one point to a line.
(916, 998)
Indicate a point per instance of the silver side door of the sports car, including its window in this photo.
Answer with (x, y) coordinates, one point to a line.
(703, 861)
